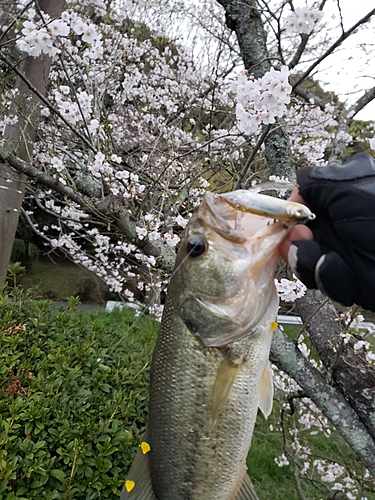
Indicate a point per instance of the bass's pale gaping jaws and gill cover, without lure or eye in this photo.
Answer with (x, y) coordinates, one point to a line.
(244, 249)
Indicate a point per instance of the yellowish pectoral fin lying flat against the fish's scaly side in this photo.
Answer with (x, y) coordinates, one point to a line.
(225, 377)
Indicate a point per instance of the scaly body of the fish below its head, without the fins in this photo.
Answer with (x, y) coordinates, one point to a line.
(194, 455)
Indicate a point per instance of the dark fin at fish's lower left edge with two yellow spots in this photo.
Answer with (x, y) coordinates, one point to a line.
(138, 485)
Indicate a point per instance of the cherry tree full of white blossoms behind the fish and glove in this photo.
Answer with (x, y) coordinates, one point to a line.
(117, 116)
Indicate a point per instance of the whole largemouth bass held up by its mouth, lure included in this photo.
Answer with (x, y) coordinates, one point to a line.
(210, 369)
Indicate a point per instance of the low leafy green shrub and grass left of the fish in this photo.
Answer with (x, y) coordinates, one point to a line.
(73, 398)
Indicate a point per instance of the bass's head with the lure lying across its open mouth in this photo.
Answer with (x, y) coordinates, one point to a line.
(240, 232)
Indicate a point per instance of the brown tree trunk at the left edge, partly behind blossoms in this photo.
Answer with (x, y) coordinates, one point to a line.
(20, 138)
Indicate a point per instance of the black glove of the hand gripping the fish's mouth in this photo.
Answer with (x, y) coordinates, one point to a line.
(341, 259)
